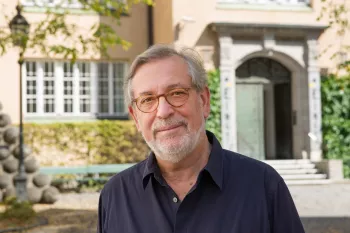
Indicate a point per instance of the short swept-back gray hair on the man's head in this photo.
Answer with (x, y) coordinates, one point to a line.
(195, 66)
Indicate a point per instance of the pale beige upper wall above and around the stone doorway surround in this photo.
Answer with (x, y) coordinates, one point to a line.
(198, 34)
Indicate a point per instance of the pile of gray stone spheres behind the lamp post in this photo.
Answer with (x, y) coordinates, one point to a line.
(39, 189)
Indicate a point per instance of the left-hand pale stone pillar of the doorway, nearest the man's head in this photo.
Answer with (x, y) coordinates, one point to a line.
(228, 93)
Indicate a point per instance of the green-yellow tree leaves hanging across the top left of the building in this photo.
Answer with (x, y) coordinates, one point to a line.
(101, 35)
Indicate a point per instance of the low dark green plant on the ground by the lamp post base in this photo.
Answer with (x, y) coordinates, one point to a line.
(16, 210)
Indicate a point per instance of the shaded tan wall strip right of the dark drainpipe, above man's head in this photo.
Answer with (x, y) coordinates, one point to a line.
(163, 21)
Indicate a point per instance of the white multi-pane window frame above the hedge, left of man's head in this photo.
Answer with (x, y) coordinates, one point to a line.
(59, 92)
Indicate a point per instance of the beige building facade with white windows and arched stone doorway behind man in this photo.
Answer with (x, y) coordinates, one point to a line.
(266, 51)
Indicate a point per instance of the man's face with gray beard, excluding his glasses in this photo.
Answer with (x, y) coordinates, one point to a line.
(171, 132)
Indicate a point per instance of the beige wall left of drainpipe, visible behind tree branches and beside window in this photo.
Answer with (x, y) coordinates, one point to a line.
(133, 28)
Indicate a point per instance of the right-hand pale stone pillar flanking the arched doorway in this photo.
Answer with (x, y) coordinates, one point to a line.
(314, 89)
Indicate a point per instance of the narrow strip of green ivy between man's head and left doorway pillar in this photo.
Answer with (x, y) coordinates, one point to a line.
(214, 121)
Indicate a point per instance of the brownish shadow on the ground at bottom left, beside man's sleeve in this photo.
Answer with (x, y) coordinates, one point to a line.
(68, 221)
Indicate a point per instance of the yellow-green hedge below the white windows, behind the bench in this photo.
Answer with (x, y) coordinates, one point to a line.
(98, 142)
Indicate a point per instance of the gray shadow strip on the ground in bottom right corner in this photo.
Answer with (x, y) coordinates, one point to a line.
(326, 224)
